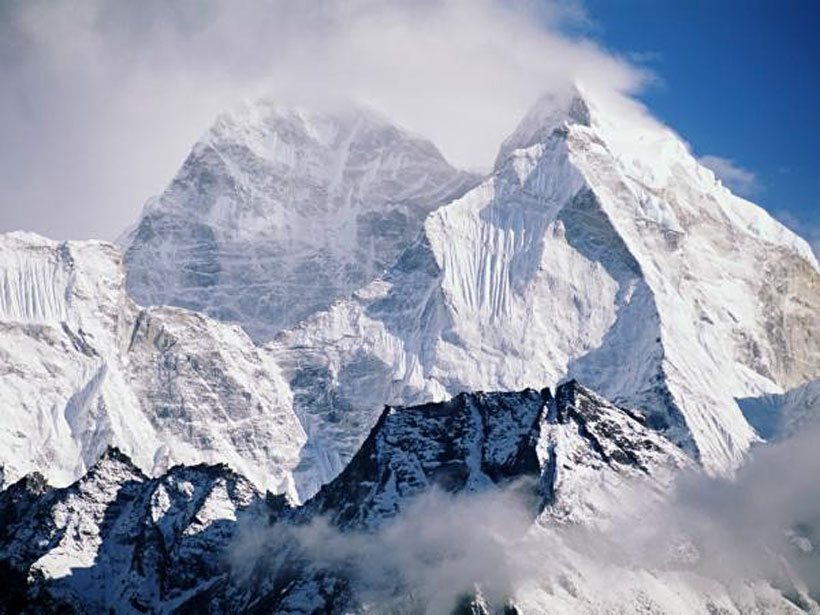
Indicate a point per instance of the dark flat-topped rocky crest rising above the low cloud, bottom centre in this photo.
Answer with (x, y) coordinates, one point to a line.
(567, 449)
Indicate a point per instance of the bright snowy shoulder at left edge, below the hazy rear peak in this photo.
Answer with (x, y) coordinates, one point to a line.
(83, 367)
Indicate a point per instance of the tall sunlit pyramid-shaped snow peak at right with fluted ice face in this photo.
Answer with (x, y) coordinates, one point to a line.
(598, 249)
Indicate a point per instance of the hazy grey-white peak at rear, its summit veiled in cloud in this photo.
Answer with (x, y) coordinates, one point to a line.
(277, 212)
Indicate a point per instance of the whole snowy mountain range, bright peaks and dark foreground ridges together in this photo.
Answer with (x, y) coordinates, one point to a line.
(313, 439)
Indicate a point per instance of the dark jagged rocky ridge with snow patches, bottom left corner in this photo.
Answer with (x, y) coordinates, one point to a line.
(116, 539)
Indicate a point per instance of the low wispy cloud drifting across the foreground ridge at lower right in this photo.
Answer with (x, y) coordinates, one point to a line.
(759, 524)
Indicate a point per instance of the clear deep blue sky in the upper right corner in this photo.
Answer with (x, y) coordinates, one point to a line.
(739, 80)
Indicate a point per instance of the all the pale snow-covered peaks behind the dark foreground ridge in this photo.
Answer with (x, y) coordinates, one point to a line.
(598, 249)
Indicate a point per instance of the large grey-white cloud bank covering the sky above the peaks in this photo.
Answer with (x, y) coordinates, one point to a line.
(102, 99)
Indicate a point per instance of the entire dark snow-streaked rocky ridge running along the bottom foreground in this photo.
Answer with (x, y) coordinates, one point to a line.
(203, 539)
